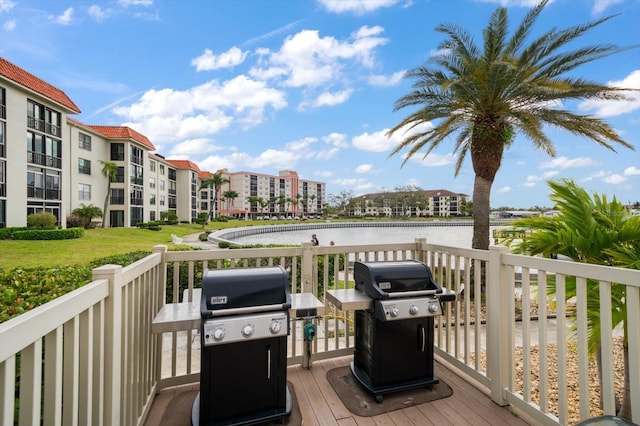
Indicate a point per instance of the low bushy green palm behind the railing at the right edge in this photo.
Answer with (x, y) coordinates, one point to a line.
(590, 231)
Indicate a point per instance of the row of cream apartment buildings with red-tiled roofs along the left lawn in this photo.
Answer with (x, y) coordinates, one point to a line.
(62, 167)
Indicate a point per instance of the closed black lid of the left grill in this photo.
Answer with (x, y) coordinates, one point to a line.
(242, 290)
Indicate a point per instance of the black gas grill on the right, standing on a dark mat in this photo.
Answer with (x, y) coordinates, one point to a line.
(394, 339)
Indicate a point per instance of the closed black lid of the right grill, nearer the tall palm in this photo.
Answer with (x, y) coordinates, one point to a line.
(382, 280)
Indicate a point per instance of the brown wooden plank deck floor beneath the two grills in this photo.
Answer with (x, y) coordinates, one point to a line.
(319, 404)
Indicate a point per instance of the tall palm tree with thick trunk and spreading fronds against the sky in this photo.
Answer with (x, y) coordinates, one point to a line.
(485, 95)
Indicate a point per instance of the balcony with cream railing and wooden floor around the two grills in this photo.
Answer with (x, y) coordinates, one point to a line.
(503, 350)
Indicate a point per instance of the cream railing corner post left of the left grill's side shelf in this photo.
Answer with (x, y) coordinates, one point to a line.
(112, 342)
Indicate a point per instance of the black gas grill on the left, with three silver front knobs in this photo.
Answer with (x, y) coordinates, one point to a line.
(245, 324)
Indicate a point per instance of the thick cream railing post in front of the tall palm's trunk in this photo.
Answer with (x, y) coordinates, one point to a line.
(497, 325)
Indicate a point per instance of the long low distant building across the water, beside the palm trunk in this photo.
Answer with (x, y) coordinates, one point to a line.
(427, 203)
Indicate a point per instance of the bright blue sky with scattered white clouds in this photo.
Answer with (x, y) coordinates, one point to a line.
(309, 85)
